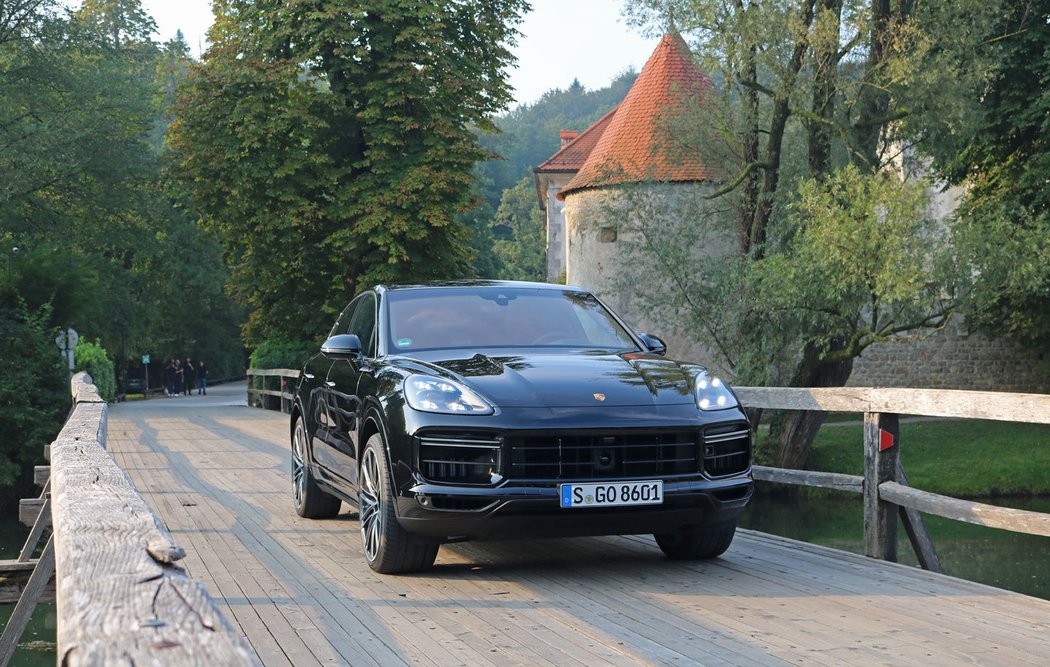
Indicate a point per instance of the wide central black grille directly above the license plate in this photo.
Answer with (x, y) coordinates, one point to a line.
(603, 456)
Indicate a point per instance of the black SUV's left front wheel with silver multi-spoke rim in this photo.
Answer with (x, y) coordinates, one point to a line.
(388, 548)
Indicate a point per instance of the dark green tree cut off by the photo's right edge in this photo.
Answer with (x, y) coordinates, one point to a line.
(1004, 159)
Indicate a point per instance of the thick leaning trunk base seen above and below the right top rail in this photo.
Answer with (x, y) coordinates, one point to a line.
(800, 428)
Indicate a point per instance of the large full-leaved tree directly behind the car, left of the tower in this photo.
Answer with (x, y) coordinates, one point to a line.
(331, 148)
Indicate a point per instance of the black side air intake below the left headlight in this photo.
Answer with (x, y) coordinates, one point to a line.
(460, 458)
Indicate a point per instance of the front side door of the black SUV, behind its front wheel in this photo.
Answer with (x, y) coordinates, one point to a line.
(344, 381)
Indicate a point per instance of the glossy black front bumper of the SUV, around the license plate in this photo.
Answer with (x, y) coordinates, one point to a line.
(529, 507)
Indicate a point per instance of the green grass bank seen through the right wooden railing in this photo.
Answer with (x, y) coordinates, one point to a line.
(965, 458)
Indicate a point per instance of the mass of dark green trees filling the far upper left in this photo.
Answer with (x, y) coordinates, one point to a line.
(101, 235)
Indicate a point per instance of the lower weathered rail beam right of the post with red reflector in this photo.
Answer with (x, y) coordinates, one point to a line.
(980, 514)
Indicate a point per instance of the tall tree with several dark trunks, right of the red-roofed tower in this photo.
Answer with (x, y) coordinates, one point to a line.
(810, 88)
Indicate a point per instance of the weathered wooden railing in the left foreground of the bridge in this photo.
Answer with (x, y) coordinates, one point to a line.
(121, 598)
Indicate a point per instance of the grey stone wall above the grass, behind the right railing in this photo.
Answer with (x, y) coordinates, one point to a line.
(955, 359)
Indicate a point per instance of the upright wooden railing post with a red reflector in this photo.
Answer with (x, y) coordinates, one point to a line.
(881, 449)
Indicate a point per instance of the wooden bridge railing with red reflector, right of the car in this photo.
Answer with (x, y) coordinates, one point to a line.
(885, 485)
